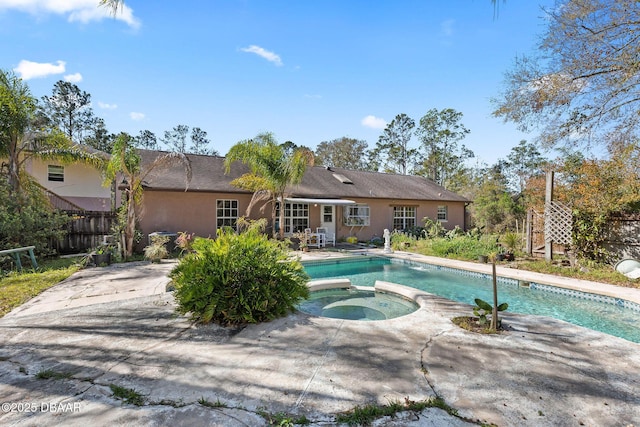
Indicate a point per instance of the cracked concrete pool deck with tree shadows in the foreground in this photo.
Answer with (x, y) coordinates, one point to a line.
(117, 326)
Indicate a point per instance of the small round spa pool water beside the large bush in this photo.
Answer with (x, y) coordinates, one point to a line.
(357, 305)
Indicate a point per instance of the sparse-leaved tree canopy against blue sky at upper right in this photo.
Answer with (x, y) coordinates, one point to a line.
(582, 84)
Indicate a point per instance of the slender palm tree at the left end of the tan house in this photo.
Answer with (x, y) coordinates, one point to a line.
(126, 162)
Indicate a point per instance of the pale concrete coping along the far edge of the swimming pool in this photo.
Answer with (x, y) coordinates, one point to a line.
(598, 288)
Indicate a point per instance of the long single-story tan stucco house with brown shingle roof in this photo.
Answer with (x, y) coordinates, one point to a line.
(347, 202)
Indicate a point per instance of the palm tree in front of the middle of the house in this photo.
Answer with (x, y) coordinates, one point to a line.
(272, 170)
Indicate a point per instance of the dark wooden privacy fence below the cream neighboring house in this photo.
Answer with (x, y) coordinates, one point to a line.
(85, 230)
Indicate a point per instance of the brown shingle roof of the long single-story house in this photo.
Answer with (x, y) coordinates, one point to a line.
(318, 181)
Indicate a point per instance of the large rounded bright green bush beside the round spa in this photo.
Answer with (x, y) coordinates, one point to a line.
(238, 279)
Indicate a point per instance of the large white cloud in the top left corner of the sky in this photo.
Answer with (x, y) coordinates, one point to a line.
(75, 10)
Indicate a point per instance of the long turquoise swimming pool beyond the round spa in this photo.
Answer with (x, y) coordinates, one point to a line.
(462, 286)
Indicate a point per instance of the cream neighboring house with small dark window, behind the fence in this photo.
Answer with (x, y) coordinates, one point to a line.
(77, 183)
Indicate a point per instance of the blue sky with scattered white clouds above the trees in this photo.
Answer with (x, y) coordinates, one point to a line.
(308, 71)
